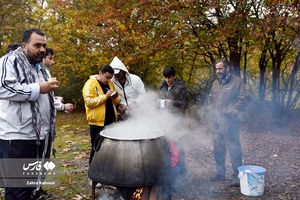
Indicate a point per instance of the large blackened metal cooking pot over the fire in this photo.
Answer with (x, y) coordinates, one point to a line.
(130, 159)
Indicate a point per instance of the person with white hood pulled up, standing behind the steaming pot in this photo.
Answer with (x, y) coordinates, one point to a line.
(129, 86)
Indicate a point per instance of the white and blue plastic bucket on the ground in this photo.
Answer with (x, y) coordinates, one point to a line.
(252, 180)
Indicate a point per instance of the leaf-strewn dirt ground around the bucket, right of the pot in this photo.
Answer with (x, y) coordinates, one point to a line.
(274, 148)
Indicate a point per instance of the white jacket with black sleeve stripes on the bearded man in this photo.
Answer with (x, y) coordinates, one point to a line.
(15, 95)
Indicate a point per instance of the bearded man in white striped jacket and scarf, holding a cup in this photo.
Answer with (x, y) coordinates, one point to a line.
(27, 113)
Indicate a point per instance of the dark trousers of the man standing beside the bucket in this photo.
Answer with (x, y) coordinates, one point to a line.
(227, 134)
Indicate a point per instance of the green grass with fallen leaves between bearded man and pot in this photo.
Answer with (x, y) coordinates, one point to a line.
(72, 146)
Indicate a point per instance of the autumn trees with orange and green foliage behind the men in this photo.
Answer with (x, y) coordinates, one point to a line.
(260, 38)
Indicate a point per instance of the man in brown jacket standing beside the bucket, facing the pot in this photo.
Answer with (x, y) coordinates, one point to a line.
(227, 101)
